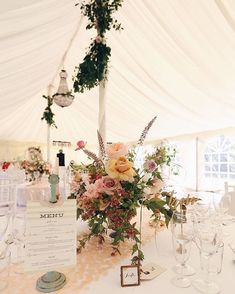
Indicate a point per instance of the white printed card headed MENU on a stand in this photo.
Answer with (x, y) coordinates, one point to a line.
(50, 235)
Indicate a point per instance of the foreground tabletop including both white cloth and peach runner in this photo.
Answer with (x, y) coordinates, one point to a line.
(96, 274)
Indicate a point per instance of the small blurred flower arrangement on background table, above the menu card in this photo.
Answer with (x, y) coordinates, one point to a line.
(34, 165)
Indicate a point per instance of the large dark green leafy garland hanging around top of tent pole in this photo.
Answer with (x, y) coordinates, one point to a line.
(94, 67)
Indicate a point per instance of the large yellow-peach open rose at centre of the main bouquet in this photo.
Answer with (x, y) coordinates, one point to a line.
(120, 168)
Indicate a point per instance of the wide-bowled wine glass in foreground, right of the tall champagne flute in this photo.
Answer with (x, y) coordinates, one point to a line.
(208, 239)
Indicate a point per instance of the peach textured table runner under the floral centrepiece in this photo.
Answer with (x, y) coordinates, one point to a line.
(93, 263)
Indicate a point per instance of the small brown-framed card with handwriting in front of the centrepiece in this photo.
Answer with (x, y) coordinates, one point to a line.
(130, 275)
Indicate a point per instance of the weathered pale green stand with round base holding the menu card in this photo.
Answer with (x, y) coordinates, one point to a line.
(52, 280)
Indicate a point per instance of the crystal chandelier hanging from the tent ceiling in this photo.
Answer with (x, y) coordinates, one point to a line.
(63, 97)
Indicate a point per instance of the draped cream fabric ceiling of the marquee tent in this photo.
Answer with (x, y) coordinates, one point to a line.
(174, 59)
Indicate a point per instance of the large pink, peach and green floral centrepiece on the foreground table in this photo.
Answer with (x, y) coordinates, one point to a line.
(111, 189)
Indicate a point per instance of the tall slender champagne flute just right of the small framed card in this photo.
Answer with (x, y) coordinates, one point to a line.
(182, 235)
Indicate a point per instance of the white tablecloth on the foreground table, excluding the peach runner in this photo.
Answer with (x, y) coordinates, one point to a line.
(163, 256)
